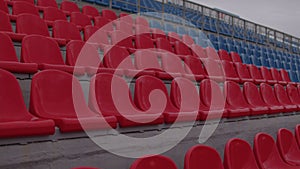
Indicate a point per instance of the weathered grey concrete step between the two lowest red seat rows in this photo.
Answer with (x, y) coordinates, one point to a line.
(65, 154)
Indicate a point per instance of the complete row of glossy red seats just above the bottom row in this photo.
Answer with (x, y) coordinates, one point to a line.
(183, 104)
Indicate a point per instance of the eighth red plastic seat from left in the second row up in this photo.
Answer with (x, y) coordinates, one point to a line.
(254, 98)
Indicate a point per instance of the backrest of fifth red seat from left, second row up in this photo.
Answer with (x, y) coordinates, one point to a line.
(184, 95)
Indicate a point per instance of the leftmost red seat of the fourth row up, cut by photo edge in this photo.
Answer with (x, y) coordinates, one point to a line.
(6, 27)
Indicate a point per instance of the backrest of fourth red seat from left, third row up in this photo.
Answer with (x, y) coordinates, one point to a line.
(118, 58)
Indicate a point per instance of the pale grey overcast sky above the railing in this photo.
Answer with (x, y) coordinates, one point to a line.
(282, 15)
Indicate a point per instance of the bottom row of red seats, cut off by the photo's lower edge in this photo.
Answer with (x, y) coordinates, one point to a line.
(266, 154)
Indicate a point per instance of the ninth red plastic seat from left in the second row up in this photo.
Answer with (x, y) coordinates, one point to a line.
(270, 99)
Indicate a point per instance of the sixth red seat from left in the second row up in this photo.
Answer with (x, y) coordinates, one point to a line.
(212, 101)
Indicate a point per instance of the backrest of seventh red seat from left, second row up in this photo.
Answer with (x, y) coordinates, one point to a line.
(234, 95)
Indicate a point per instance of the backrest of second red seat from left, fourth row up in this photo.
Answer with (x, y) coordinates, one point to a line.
(31, 24)
